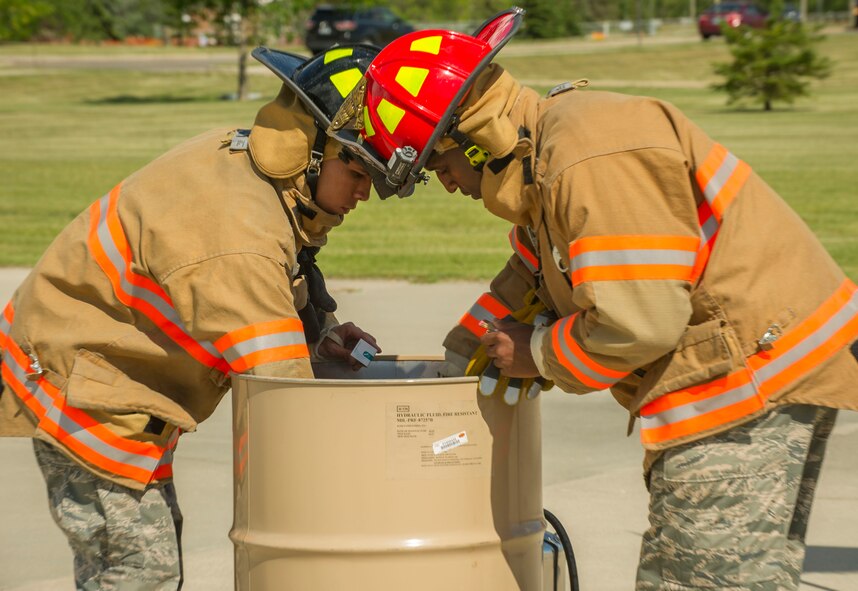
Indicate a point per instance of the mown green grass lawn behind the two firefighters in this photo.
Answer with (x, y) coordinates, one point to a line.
(70, 135)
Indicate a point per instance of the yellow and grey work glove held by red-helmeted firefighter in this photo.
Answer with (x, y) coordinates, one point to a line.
(492, 381)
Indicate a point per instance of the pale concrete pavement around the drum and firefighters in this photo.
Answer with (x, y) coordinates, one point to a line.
(591, 471)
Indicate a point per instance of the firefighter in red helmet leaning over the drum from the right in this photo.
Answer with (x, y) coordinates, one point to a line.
(649, 261)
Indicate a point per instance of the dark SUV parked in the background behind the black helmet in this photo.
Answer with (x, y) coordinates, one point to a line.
(329, 25)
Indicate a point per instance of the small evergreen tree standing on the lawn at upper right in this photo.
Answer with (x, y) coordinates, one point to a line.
(770, 64)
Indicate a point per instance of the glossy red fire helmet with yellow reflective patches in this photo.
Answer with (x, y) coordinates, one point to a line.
(412, 90)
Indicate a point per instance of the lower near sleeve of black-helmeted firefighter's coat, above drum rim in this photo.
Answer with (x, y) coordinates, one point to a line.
(244, 305)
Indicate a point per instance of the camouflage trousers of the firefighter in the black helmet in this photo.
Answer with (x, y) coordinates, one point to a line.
(122, 539)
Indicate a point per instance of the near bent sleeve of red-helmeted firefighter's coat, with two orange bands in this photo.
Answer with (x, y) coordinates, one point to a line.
(628, 225)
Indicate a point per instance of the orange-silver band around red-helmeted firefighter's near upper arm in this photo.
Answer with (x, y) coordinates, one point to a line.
(644, 257)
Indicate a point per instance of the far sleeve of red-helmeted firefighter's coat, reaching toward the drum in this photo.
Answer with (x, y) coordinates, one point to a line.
(506, 294)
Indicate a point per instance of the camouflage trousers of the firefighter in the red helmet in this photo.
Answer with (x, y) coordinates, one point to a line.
(730, 511)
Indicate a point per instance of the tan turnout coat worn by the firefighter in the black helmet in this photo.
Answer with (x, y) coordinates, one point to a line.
(208, 231)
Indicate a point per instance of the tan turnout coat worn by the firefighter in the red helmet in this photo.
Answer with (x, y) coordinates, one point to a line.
(614, 189)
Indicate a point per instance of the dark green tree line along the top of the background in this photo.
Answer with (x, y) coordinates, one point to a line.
(172, 21)
